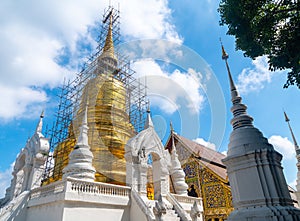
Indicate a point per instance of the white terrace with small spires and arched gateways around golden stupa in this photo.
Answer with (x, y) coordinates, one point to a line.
(78, 197)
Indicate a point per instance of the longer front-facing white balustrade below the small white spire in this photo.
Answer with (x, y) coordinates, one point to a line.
(97, 188)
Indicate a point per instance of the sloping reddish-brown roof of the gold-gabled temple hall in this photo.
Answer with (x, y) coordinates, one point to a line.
(207, 156)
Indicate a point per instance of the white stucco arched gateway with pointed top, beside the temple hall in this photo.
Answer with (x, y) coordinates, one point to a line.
(145, 150)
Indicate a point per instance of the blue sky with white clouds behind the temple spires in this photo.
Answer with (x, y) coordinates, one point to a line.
(43, 42)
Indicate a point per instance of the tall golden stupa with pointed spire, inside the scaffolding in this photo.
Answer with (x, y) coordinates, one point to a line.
(108, 121)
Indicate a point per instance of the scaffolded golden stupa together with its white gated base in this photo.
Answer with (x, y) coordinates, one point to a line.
(104, 158)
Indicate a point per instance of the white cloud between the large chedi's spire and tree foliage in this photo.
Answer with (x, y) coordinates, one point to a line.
(254, 79)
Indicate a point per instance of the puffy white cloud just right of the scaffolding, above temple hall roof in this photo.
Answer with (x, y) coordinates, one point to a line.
(169, 90)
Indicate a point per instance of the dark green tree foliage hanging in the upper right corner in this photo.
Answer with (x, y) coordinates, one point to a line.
(266, 27)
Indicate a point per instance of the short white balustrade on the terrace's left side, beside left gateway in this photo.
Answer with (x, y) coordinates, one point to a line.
(53, 188)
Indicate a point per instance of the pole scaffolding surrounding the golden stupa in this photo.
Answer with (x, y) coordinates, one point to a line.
(64, 133)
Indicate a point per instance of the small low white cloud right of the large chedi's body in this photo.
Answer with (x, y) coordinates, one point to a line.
(283, 146)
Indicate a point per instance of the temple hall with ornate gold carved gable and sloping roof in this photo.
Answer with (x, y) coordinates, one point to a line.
(206, 173)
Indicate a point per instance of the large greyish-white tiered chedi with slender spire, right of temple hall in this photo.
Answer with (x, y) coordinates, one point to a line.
(259, 189)
